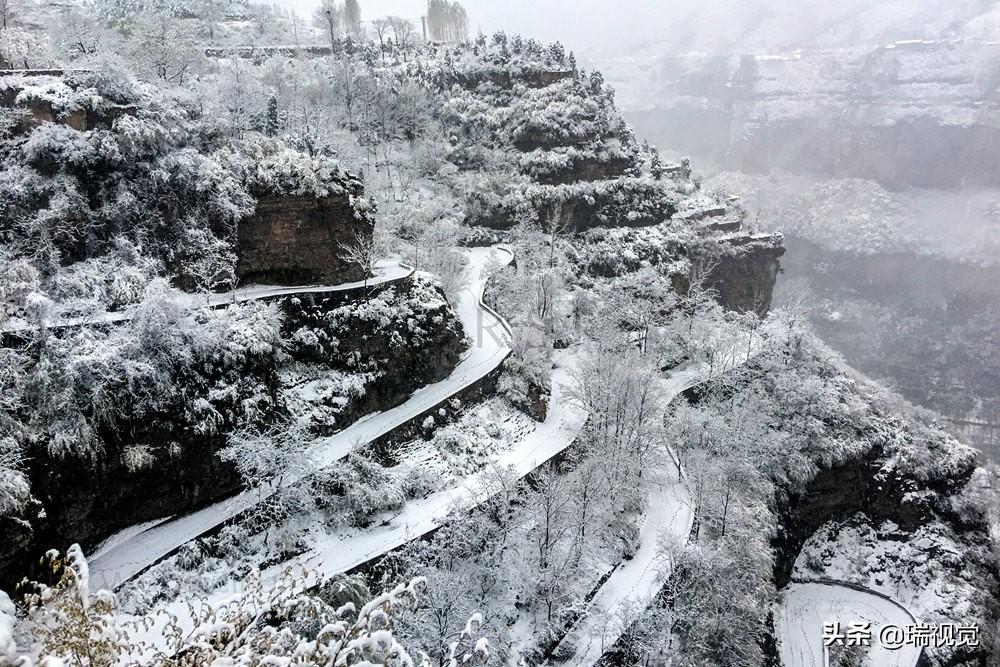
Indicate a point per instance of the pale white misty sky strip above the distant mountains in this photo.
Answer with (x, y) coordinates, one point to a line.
(709, 25)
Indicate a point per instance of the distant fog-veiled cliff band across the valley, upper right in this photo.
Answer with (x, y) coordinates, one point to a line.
(913, 113)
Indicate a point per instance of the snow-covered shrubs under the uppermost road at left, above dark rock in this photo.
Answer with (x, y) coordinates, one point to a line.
(86, 386)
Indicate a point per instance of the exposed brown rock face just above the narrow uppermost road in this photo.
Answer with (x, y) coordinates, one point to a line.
(296, 240)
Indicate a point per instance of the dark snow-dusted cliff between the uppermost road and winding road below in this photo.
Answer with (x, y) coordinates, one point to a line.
(419, 341)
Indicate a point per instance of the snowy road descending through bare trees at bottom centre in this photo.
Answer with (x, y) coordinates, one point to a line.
(634, 584)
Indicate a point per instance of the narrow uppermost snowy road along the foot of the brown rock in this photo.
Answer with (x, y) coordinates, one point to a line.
(385, 271)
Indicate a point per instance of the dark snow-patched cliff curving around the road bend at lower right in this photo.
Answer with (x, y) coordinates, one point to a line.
(914, 547)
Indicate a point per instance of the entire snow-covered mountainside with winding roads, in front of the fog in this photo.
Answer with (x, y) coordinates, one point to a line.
(521, 374)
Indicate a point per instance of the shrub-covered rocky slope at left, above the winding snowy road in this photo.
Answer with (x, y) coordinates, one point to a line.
(113, 192)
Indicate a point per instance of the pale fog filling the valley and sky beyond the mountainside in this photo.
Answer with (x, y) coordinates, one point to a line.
(865, 131)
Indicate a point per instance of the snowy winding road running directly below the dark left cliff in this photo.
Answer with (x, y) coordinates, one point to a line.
(124, 556)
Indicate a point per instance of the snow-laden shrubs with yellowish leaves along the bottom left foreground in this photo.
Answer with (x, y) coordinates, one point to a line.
(274, 623)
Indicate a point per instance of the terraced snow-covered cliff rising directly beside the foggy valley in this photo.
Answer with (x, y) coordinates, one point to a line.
(578, 167)
